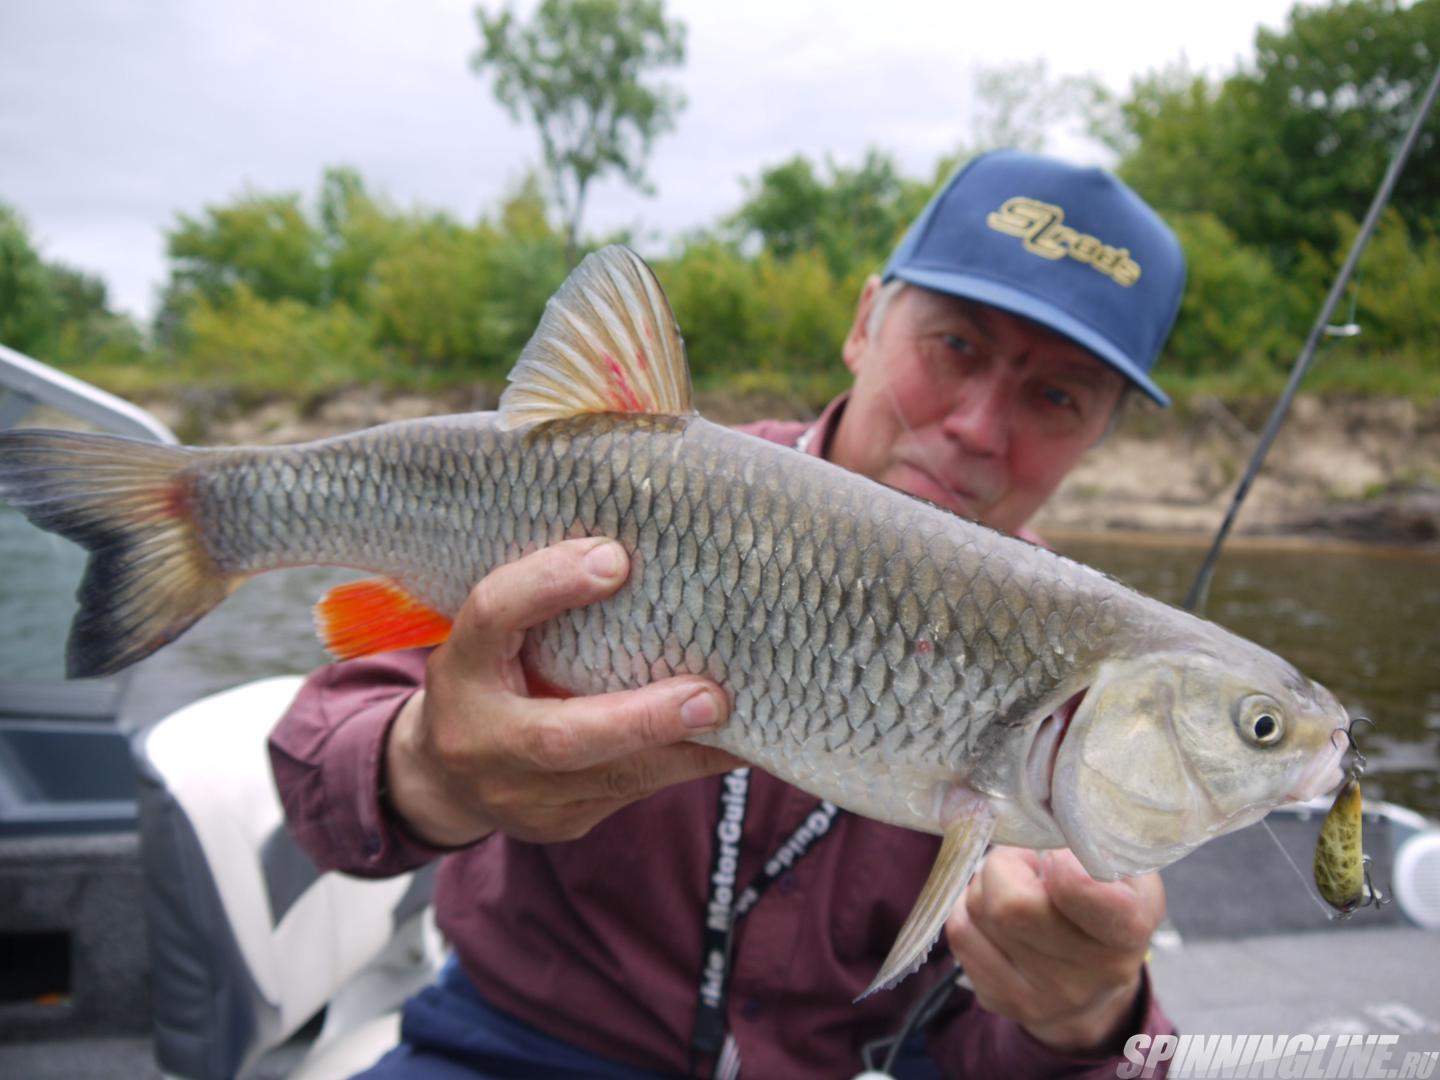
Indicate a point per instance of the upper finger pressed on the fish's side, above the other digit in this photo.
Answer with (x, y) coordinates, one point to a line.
(516, 597)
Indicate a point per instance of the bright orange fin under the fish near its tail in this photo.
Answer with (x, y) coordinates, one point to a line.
(377, 616)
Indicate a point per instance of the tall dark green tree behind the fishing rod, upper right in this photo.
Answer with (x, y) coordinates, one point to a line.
(1300, 136)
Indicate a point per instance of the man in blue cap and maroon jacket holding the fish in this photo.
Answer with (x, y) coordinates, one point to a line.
(1013, 319)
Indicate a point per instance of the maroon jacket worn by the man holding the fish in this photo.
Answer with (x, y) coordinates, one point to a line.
(598, 941)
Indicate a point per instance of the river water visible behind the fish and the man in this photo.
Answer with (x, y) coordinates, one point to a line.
(1364, 623)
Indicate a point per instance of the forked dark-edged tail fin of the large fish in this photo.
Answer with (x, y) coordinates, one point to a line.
(129, 503)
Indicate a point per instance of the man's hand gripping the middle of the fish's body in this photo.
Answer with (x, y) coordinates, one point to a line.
(474, 752)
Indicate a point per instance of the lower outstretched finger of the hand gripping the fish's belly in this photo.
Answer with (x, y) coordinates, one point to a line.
(584, 732)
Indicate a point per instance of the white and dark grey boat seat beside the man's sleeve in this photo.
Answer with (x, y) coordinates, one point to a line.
(248, 941)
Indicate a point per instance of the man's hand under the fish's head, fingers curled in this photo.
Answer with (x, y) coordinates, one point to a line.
(1053, 950)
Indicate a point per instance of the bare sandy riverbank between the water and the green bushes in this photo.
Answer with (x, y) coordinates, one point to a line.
(1357, 470)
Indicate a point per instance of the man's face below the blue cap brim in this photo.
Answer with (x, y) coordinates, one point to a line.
(970, 407)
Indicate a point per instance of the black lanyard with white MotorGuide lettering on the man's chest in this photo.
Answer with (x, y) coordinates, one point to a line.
(725, 906)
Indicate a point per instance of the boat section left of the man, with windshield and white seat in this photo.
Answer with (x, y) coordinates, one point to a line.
(156, 918)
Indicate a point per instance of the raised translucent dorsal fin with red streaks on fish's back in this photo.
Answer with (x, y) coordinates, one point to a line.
(608, 342)
